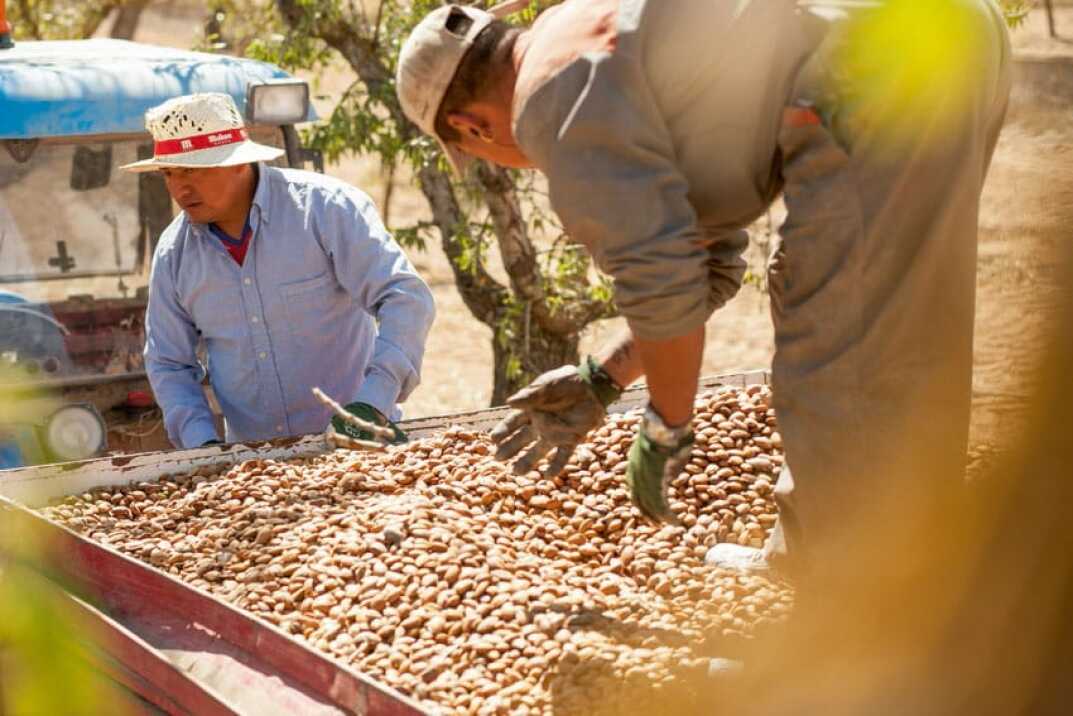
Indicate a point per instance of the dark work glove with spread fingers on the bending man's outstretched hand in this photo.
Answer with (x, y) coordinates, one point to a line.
(555, 413)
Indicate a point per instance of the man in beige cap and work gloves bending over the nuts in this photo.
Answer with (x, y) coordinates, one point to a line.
(665, 129)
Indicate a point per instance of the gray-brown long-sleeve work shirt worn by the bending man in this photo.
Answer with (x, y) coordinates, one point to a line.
(658, 154)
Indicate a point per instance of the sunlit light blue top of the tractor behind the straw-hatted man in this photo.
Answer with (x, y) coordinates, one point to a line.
(86, 87)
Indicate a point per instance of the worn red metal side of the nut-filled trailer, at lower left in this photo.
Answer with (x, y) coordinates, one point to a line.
(188, 652)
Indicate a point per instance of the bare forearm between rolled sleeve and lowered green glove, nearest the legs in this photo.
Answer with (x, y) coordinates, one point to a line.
(672, 369)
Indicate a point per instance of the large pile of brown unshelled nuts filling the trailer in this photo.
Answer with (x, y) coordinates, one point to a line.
(434, 569)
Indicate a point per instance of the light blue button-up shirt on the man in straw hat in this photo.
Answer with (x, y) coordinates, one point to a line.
(321, 273)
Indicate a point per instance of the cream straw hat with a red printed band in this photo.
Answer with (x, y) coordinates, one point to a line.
(199, 131)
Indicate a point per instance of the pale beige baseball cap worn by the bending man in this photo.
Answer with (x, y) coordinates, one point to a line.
(430, 60)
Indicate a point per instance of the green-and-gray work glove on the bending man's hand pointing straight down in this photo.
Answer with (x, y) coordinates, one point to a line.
(657, 457)
